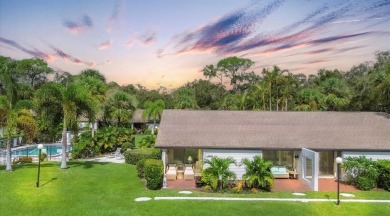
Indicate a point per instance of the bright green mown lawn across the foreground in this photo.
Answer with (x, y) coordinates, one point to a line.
(91, 188)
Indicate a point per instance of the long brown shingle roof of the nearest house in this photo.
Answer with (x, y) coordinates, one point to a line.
(274, 130)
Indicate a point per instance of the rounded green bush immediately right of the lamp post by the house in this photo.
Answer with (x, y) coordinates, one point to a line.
(360, 172)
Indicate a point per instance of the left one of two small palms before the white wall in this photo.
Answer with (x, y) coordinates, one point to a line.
(219, 169)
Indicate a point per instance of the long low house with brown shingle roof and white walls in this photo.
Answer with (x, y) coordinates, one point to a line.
(306, 141)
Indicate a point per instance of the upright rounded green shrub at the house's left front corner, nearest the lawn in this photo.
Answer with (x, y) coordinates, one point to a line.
(153, 173)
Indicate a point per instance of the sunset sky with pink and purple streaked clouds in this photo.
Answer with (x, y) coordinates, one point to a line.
(168, 42)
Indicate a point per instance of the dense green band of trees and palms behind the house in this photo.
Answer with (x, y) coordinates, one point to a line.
(40, 103)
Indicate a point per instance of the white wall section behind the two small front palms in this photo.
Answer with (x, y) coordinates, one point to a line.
(237, 155)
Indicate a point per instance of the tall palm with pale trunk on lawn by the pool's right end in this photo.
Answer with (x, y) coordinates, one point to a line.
(73, 101)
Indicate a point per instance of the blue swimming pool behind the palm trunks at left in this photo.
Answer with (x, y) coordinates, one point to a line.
(33, 150)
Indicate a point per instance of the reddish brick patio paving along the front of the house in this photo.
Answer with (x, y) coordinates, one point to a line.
(289, 185)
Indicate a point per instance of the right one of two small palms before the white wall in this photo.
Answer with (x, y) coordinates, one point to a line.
(258, 173)
